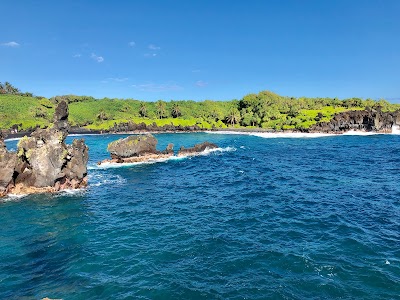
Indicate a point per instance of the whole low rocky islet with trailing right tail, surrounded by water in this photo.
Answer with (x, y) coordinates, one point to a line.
(142, 148)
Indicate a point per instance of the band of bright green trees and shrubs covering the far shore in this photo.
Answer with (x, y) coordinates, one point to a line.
(263, 110)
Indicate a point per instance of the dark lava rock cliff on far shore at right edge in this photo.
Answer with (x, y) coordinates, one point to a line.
(363, 120)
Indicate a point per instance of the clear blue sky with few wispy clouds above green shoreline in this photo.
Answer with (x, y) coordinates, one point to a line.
(198, 50)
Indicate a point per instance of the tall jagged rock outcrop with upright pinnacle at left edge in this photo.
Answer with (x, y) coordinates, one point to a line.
(43, 162)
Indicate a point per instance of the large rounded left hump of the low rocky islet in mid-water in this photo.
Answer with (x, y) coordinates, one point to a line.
(137, 148)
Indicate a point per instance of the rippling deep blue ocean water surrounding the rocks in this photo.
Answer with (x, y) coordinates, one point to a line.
(268, 218)
